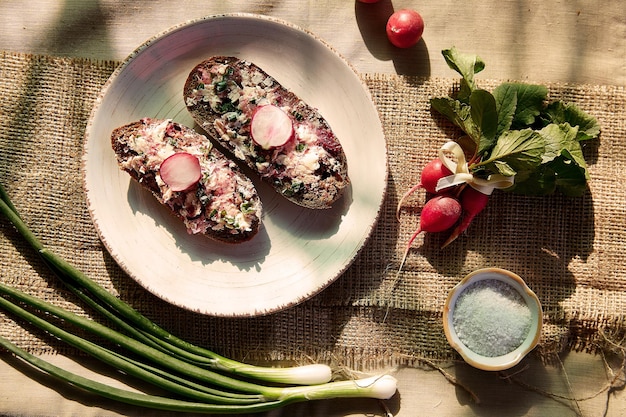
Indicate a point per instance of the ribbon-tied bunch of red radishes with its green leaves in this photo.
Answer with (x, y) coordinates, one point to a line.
(514, 139)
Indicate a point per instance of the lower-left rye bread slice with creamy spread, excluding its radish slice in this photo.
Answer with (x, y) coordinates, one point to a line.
(223, 205)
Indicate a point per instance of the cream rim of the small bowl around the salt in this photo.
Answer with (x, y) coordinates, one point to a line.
(496, 363)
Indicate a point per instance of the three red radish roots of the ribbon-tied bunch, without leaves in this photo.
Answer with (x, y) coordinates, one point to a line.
(447, 209)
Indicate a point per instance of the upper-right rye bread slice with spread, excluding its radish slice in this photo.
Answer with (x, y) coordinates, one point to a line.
(222, 93)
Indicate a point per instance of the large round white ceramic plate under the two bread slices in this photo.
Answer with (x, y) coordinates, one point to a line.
(298, 252)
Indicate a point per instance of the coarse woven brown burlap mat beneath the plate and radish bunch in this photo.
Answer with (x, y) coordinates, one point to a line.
(569, 250)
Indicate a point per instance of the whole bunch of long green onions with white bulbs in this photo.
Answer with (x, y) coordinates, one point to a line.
(199, 379)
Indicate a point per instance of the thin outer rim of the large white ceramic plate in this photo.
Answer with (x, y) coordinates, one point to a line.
(346, 263)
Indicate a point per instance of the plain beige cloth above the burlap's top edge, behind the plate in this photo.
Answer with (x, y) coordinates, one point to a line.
(545, 41)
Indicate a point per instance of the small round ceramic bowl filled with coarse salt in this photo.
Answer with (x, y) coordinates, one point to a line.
(497, 283)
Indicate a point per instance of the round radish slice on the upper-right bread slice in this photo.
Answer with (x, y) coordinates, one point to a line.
(271, 127)
